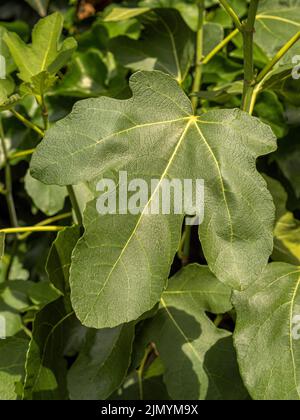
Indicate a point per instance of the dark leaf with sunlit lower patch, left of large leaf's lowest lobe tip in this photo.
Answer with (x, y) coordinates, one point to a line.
(46, 368)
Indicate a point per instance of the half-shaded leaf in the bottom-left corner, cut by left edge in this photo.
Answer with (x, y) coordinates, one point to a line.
(12, 360)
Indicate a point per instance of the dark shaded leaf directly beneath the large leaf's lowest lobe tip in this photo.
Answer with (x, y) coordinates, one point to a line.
(102, 363)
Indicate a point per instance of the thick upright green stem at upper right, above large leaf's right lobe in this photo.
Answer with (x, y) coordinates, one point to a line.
(248, 37)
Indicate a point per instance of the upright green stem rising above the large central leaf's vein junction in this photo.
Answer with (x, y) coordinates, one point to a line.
(199, 55)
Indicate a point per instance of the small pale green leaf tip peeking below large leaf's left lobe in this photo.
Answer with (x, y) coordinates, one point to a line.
(49, 199)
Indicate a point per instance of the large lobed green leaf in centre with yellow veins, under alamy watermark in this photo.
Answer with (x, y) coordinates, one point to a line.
(155, 135)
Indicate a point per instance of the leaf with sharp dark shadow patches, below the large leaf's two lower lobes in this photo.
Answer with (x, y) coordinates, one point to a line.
(199, 358)
